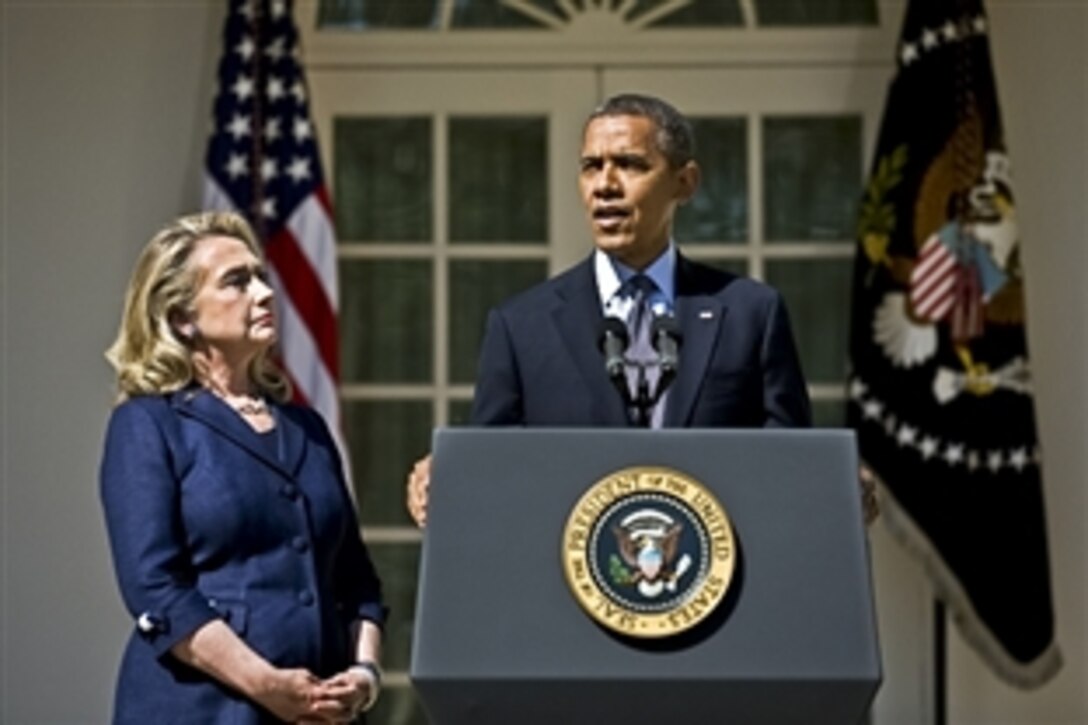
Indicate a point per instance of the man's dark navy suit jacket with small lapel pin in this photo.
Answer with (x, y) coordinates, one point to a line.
(540, 363)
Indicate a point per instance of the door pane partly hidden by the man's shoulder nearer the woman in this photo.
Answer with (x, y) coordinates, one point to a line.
(475, 288)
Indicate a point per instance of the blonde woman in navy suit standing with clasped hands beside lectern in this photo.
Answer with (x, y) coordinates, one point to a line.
(234, 539)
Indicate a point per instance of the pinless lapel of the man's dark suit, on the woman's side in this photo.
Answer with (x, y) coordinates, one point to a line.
(578, 318)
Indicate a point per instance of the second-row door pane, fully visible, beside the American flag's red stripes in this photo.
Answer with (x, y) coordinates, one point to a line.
(387, 315)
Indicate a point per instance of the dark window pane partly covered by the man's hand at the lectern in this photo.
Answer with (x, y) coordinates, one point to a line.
(386, 438)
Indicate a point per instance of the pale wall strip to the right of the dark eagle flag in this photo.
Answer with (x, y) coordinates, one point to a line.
(1043, 78)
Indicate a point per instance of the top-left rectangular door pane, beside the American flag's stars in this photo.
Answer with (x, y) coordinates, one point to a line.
(384, 179)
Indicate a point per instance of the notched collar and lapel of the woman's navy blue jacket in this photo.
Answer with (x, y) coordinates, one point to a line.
(202, 405)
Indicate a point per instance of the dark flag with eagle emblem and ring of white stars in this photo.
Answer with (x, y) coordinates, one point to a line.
(941, 390)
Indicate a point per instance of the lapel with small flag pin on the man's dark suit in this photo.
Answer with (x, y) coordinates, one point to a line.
(700, 316)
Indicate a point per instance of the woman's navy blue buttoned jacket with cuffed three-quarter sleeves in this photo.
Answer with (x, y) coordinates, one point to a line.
(207, 521)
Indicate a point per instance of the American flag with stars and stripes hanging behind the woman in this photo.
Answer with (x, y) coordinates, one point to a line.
(263, 162)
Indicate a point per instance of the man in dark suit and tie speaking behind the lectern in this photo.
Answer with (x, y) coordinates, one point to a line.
(540, 362)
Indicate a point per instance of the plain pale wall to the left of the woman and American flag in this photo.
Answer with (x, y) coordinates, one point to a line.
(106, 108)
